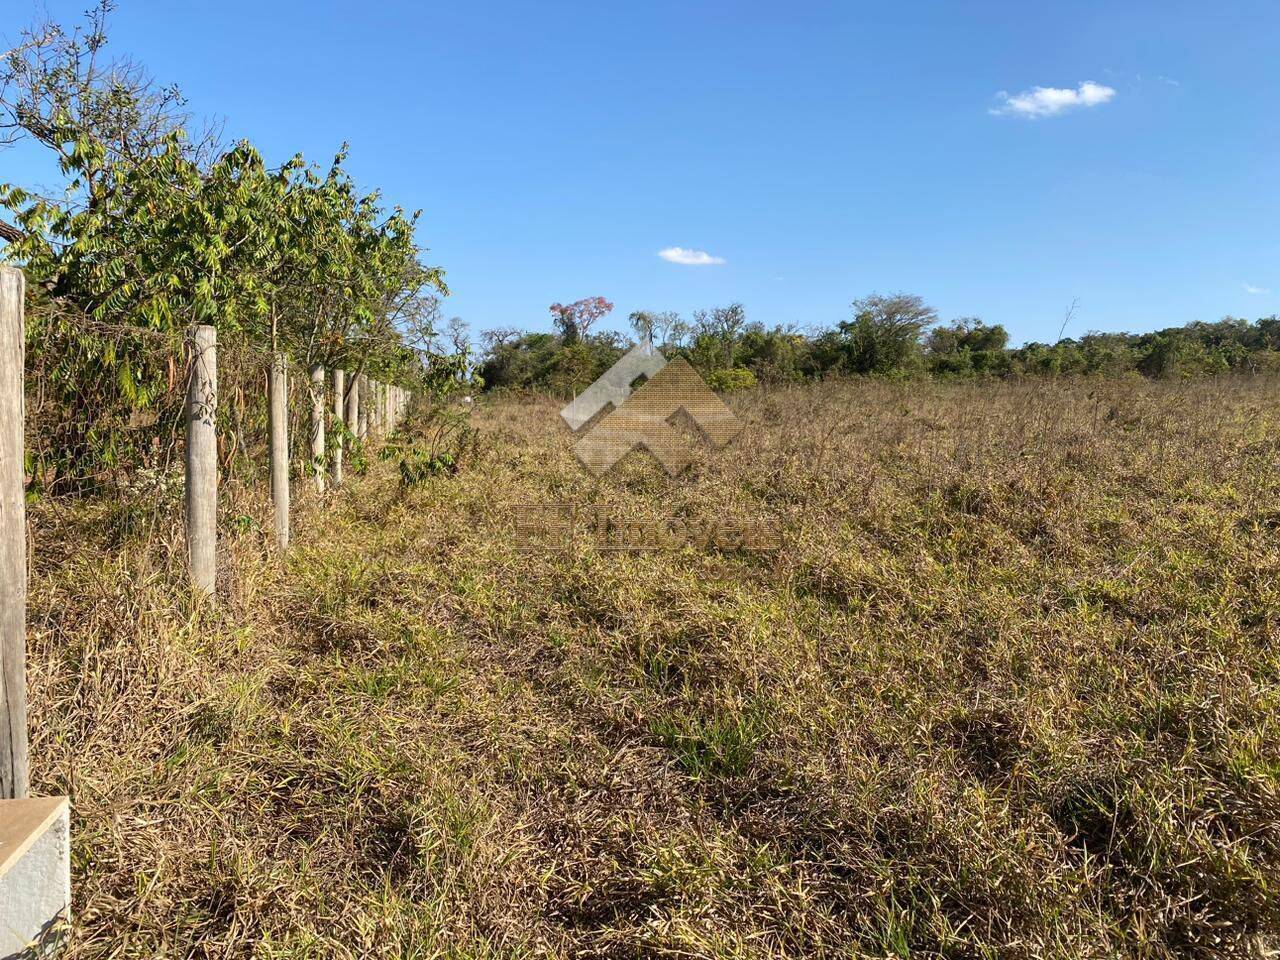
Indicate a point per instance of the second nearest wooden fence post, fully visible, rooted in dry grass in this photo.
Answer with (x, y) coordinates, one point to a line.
(203, 459)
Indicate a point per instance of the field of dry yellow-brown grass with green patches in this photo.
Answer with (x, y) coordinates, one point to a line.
(1008, 692)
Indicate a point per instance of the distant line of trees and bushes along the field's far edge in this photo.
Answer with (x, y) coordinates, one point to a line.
(885, 336)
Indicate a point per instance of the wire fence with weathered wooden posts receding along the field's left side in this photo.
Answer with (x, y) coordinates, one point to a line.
(161, 427)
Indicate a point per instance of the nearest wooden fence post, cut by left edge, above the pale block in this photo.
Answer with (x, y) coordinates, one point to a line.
(13, 541)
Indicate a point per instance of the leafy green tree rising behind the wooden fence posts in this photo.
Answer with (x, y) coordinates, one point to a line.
(150, 234)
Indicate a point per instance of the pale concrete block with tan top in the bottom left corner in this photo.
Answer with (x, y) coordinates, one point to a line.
(35, 876)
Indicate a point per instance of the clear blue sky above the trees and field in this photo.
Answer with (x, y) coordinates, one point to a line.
(822, 150)
